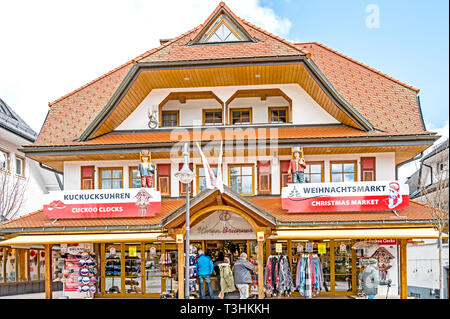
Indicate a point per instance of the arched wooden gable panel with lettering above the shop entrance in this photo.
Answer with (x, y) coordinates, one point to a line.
(223, 225)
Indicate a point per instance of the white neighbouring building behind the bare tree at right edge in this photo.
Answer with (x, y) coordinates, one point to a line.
(423, 258)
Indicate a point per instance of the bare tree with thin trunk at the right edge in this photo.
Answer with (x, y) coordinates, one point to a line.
(435, 195)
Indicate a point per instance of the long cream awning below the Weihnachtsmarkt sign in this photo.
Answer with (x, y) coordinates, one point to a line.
(398, 233)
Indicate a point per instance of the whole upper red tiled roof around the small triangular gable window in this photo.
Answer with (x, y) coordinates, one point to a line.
(388, 104)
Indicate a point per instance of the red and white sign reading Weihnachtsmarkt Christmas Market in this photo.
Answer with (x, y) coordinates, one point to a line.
(342, 197)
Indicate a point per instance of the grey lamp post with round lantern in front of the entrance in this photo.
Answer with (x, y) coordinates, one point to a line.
(185, 176)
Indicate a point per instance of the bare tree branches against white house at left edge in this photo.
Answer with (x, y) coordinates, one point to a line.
(12, 195)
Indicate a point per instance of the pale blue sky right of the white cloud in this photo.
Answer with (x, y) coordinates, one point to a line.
(411, 43)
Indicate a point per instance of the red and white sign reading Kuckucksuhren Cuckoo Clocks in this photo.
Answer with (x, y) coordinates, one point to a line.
(103, 203)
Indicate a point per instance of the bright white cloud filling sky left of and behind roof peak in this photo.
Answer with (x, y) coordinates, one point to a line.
(51, 47)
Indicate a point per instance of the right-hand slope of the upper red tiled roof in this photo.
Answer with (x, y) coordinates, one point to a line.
(388, 104)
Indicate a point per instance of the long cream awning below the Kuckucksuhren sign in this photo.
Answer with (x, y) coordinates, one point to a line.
(82, 238)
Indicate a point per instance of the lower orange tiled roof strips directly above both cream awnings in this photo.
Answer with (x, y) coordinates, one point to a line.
(415, 211)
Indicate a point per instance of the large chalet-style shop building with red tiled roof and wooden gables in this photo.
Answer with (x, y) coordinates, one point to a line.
(228, 84)
